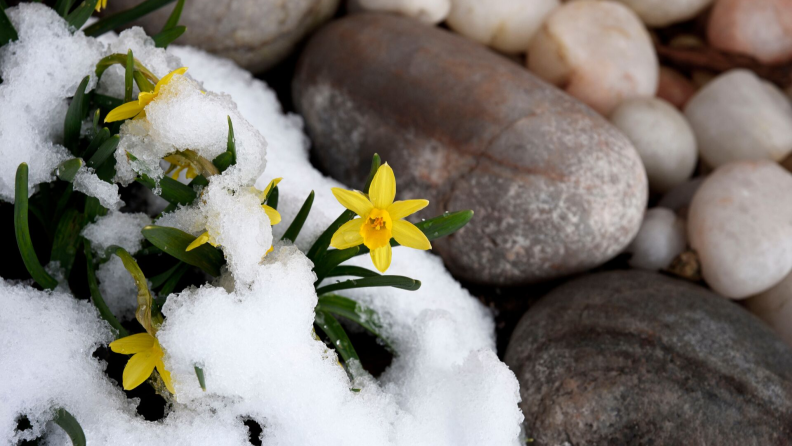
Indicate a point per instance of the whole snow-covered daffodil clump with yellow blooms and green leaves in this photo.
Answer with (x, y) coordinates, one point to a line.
(235, 302)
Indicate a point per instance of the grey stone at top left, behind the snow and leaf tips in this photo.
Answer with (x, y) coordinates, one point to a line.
(256, 34)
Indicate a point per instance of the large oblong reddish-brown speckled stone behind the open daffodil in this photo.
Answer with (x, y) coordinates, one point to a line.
(556, 189)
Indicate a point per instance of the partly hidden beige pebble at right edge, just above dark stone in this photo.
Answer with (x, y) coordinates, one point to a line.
(774, 306)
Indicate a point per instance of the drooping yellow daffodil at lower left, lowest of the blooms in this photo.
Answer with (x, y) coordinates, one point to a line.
(147, 354)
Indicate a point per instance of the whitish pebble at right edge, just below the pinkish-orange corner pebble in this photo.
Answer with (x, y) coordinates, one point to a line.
(737, 116)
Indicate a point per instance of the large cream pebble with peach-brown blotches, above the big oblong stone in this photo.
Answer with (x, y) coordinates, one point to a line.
(598, 51)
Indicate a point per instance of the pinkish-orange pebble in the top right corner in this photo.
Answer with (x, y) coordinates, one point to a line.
(758, 28)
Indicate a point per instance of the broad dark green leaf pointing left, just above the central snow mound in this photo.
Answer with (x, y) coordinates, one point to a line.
(175, 242)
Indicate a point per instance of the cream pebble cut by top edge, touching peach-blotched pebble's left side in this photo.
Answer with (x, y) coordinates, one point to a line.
(506, 25)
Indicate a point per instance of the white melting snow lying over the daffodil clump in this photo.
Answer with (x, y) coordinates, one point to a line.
(252, 330)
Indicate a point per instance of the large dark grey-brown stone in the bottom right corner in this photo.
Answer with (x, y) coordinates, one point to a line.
(637, 358)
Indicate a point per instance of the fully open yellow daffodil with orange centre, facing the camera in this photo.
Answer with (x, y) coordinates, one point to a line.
(380, 219)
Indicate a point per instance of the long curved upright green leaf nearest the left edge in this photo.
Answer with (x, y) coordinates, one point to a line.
(22, 231)
